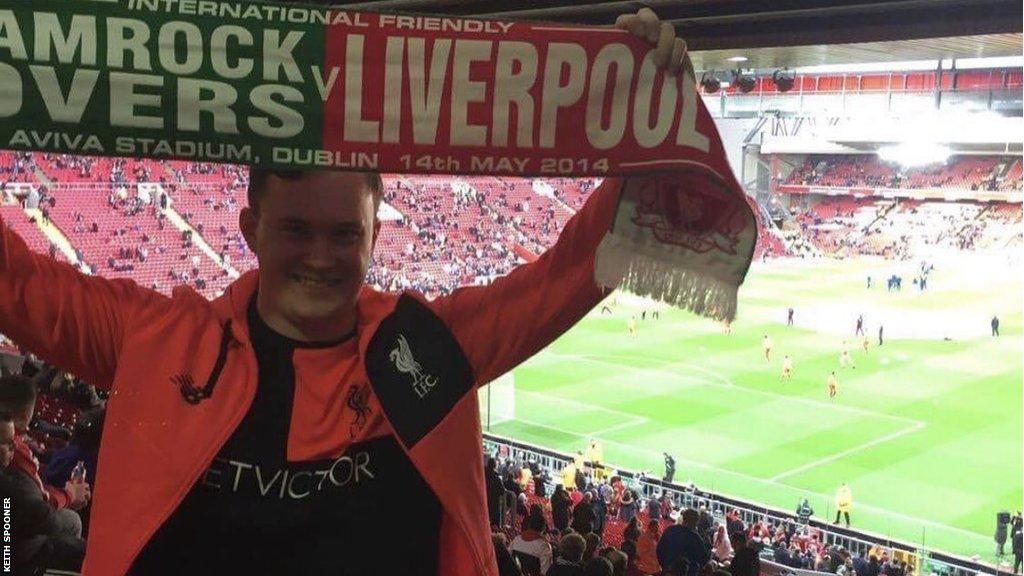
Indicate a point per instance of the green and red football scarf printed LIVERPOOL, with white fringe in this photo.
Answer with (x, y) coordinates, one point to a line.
(294, 87)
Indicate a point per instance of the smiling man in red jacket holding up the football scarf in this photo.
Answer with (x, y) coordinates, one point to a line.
(286, 415)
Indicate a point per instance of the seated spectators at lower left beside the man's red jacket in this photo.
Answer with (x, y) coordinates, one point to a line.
(55, 422)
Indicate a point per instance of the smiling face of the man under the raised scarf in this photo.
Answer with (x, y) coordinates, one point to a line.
(314, 238)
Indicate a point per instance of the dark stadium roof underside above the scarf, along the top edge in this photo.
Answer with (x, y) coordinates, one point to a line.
(781, 33)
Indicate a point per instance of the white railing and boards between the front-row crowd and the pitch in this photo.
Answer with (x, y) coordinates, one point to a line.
(925, 561)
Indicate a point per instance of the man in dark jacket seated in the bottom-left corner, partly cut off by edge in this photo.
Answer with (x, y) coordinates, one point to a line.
(39, 540)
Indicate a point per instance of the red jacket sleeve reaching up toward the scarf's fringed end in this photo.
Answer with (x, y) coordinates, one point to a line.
(503, 324)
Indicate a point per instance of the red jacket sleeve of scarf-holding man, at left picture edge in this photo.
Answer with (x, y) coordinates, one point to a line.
(70, 319)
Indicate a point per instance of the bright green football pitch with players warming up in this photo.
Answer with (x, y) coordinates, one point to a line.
(926, 431)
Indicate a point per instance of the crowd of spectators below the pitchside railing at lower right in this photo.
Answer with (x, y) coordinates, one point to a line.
(594, 518)
